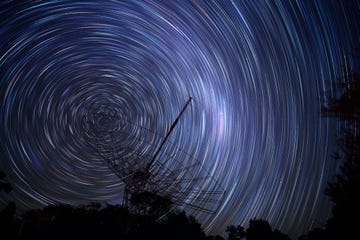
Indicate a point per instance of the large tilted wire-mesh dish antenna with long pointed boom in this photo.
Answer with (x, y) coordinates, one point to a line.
(147, 162)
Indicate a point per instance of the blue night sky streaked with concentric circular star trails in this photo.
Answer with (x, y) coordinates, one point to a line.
(255, 70)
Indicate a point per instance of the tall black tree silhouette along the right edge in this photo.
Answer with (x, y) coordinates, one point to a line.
(344, 105)
